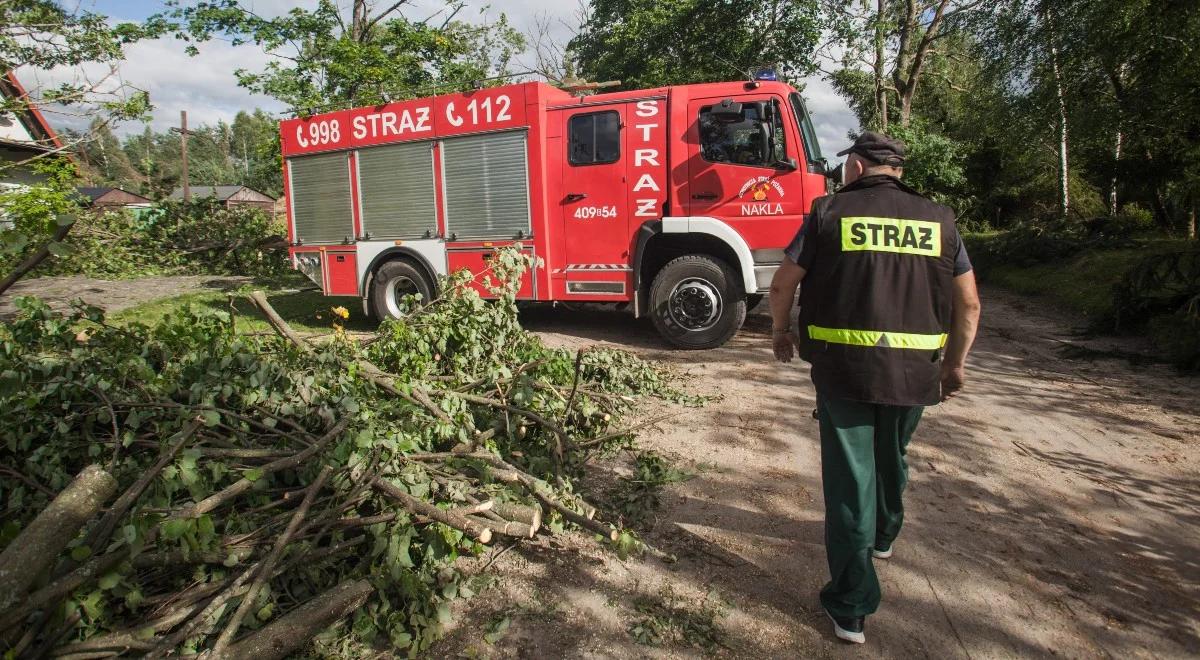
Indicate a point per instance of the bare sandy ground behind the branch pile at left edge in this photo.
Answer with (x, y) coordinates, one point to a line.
(113, 295)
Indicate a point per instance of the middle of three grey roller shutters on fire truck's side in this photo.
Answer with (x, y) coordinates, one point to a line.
(397, 188)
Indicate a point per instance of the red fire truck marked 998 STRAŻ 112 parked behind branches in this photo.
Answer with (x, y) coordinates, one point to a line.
(676, 201)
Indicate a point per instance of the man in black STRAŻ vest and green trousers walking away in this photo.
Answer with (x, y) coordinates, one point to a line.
(889, 313)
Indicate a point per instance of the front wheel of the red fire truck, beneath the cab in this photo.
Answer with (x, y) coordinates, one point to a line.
(697, 303)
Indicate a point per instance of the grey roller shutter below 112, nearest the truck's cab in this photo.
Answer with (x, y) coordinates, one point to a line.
(487, 187)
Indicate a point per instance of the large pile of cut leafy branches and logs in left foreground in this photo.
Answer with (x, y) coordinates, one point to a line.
(185, 489)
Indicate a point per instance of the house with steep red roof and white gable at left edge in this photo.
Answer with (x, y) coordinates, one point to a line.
(23, 136)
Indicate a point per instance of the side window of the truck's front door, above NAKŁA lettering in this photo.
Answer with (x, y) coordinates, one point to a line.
(753, 141)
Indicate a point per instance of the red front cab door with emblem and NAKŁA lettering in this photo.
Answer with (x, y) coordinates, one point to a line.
(743, 167)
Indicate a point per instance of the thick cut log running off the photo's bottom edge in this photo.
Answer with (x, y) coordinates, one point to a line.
(293, 631)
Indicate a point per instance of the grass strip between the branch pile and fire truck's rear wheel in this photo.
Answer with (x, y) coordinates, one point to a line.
(305, 311)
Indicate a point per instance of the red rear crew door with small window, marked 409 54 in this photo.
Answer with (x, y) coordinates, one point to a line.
(595, 194)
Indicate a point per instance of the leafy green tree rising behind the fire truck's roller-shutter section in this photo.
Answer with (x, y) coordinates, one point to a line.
(326, 61)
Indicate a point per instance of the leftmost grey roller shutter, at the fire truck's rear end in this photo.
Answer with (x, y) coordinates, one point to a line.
(321, 199)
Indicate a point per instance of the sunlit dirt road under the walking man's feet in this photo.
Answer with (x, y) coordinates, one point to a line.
(1054, 509)
